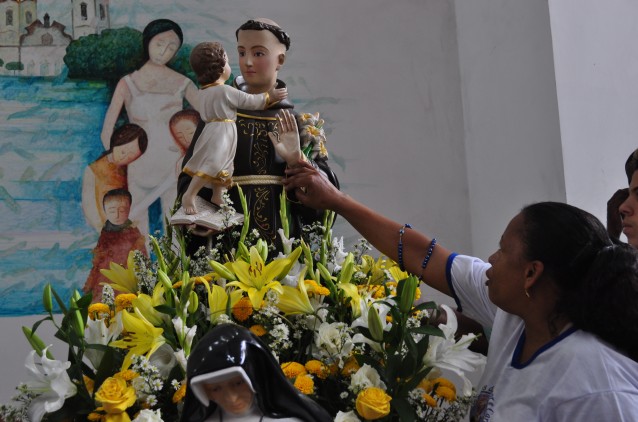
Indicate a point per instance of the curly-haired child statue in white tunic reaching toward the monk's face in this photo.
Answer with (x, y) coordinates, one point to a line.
(211, 164)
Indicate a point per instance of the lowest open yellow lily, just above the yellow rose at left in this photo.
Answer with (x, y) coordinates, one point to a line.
(141, 337)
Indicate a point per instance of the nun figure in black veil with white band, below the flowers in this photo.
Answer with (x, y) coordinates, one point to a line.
(232, 376)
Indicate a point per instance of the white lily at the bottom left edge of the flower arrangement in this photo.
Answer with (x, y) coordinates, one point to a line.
(51, 382)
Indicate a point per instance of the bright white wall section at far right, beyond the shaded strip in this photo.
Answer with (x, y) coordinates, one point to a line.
(596, 69)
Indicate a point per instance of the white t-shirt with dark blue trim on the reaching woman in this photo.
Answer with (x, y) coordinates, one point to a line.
(575, 377)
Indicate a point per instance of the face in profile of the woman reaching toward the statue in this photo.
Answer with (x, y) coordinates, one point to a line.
(507, 275)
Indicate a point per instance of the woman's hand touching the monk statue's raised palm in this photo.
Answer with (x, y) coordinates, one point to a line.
(312, 188)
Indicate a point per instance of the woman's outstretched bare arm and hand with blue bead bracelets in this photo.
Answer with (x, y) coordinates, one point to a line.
(314, 190)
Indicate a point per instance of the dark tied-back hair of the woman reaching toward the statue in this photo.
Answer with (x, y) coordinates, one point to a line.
(597, 280)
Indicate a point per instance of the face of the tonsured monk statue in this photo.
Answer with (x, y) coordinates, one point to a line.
(260, 56)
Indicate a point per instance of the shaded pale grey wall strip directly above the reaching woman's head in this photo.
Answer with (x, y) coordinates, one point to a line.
(512, 135)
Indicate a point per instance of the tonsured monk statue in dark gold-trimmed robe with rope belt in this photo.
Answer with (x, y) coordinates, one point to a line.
(258, 168)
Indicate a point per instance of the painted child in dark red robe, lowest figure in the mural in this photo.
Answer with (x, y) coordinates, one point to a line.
(118, 237)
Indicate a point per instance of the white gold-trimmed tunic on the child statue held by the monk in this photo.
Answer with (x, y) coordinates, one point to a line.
(214, 151)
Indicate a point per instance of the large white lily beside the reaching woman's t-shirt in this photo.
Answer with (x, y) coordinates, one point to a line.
(446, 353)
